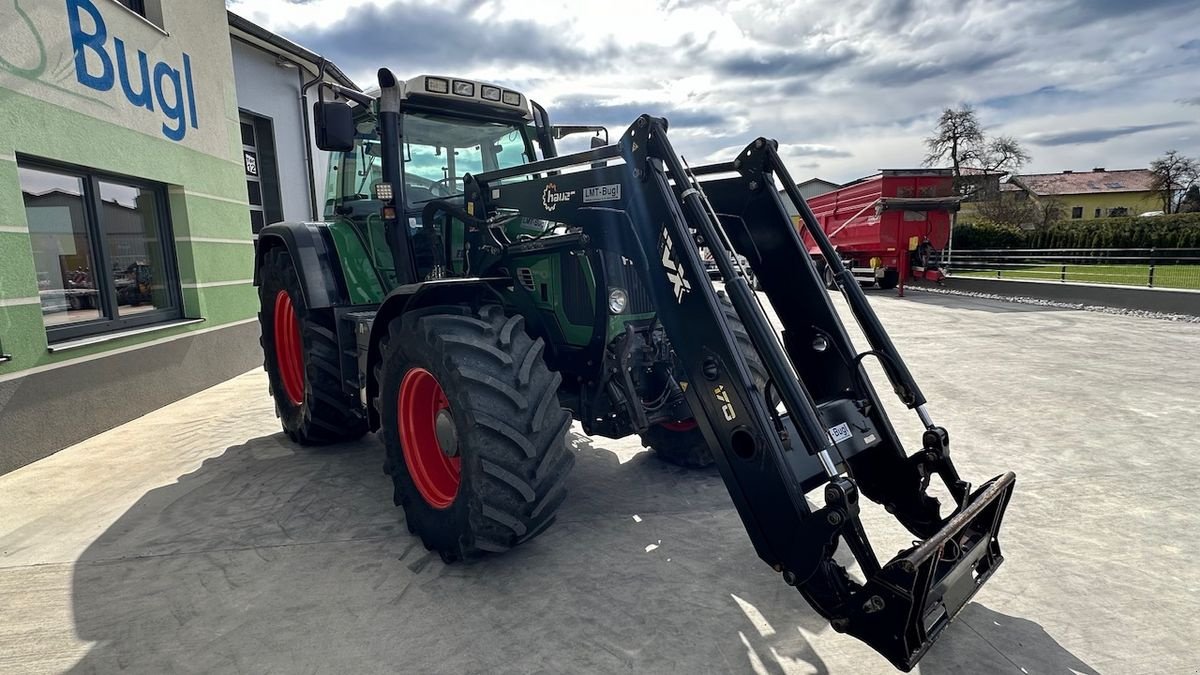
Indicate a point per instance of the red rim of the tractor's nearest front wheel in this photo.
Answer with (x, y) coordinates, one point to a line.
(435, 474)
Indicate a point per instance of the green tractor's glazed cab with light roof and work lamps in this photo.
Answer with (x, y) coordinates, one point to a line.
(447, 129)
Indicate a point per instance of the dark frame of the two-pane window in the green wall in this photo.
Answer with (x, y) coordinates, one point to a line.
(93, 207)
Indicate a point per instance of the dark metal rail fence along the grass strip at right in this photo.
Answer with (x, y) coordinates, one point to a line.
(1156, 268)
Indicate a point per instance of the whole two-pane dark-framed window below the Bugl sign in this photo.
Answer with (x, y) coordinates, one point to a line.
(101, 252)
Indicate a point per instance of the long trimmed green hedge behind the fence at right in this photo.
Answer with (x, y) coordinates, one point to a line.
(1175, 231)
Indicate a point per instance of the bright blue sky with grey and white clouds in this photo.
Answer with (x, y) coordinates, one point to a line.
(845, 88)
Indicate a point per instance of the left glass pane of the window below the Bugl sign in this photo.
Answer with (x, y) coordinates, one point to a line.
(63, 247)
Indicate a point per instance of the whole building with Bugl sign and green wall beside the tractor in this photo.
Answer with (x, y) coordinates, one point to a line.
(134, 172)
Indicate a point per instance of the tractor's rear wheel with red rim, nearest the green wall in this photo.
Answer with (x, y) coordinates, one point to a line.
(302, 360)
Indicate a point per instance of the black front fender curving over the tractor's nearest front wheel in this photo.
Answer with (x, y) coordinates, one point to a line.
(416, 296)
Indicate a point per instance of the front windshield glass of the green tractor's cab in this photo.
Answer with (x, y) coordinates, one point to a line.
(440, 151)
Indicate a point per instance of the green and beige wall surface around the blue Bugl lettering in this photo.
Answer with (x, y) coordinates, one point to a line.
(47, 115)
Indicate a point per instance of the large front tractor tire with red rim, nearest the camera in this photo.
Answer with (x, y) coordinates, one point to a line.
(475, 433)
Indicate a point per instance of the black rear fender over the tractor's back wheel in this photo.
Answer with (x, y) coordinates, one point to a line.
(316, 260)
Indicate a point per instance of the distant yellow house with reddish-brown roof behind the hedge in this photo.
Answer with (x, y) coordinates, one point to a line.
(1093, 195)
